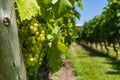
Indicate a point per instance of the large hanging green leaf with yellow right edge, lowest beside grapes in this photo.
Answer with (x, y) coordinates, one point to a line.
(56, 54)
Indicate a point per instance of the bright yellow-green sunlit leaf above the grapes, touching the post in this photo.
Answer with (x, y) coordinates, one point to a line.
(27, 9)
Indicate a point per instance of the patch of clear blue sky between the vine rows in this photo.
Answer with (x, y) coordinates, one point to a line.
(91, 8)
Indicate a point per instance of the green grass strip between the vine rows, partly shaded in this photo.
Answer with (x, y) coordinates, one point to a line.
(92, 65)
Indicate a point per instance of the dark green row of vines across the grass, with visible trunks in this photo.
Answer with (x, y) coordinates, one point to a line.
(104, 29)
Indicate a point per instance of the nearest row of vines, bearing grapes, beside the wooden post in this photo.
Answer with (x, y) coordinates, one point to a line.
(46, 28)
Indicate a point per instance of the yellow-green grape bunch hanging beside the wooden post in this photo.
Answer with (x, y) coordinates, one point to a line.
(32, 38)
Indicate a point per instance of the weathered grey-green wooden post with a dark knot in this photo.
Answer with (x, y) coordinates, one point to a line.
(11, 61)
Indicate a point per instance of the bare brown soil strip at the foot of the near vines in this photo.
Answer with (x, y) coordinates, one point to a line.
(65, 73)
